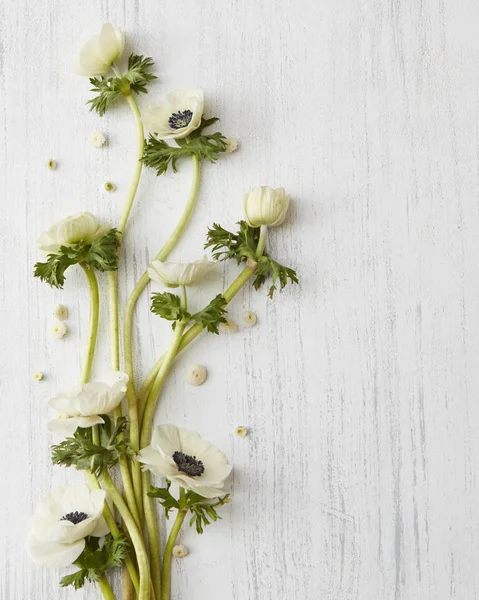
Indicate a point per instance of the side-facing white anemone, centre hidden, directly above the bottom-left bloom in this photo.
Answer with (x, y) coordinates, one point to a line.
(83, 405)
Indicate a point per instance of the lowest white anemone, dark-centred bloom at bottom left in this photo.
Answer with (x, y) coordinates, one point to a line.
(62, 522)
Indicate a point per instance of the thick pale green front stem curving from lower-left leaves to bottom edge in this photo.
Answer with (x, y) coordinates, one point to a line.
(135, 534)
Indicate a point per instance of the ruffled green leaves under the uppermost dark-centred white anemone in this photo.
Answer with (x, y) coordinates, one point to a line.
(159, 155)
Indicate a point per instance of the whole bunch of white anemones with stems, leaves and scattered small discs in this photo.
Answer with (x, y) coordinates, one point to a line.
(108, 425)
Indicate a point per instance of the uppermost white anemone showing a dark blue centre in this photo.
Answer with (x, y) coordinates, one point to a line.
(177, 116)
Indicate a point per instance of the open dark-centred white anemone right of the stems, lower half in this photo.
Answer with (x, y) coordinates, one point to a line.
(186, 459)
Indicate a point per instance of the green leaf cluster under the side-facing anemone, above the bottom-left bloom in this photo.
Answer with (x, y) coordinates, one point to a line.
(80, 452)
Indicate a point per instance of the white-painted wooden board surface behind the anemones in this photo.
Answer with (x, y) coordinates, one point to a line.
(361, 385)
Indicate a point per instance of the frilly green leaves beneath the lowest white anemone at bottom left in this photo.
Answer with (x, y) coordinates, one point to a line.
(96, 560)
